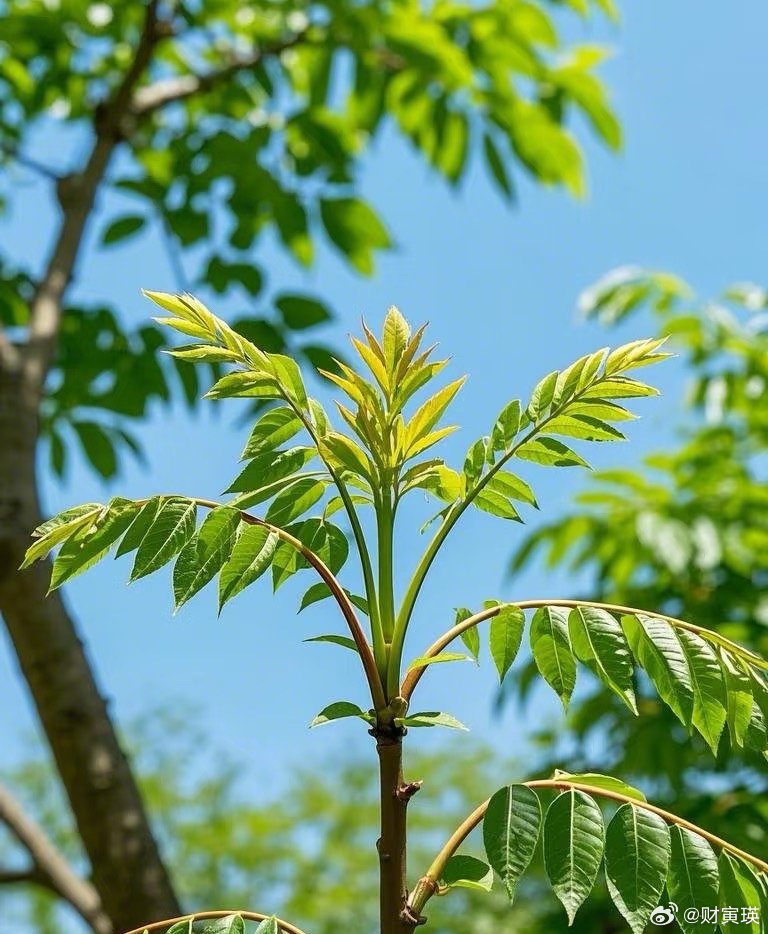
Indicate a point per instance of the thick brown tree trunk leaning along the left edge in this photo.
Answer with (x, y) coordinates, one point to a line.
(126, 866)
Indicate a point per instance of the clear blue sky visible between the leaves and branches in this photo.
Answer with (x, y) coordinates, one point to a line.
(687, 193)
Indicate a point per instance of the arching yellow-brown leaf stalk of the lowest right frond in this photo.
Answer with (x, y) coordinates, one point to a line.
(427, 885)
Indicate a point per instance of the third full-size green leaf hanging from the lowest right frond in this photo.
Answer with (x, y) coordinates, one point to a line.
(637, 850)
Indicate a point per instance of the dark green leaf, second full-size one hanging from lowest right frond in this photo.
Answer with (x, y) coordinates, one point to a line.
(574, 838)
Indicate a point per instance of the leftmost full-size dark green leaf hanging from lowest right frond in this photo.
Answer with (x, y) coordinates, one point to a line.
(510, 832)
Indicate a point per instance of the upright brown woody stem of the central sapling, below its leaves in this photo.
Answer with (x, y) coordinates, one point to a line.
(392, 842)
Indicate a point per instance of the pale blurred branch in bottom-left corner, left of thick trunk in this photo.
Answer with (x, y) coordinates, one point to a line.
(49, 866)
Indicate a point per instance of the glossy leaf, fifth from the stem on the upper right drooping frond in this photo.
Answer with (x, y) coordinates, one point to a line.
(655, 645)
